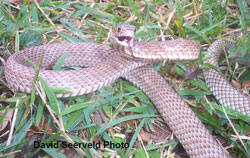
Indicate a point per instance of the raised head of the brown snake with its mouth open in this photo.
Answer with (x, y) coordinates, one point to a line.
(122, 36)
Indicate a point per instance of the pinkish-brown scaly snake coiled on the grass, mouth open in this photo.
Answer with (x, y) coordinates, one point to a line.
(131, 60)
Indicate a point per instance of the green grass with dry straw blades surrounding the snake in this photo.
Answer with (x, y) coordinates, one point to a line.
(119, 112)
